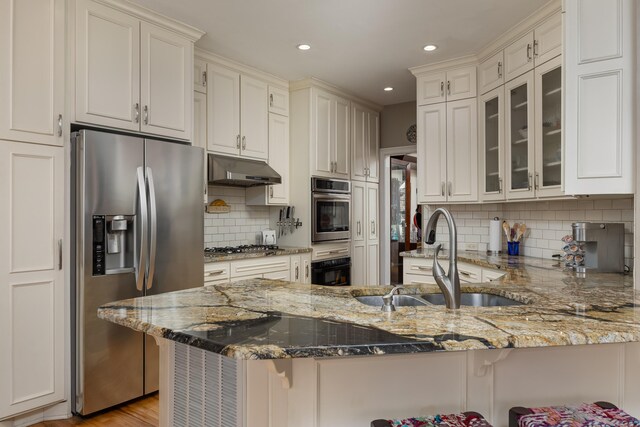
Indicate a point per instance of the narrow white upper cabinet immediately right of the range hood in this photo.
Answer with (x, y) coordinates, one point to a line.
(277, 194)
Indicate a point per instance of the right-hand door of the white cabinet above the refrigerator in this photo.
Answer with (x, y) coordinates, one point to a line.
(166, 94)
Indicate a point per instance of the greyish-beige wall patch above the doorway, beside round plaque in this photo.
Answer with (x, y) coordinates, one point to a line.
(394, 122)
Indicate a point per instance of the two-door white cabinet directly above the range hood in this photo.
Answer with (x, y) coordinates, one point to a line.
(237, 110)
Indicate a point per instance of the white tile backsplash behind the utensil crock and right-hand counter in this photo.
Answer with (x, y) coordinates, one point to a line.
(547, 222)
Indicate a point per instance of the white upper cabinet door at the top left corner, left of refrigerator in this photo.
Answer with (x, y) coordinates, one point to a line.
(32, 70)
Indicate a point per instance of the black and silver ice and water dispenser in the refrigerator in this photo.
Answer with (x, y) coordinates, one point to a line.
(113, 244)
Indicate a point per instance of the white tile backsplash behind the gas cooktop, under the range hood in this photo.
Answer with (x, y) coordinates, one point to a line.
(241, 226)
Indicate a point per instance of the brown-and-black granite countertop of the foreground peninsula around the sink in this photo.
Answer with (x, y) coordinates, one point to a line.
(265, 319)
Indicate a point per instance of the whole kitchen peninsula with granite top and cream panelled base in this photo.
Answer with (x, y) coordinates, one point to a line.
(290, 349)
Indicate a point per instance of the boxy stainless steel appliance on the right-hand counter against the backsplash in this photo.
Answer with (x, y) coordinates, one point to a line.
(601, 246)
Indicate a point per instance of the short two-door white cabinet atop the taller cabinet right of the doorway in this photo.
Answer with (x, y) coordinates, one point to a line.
(452, 85)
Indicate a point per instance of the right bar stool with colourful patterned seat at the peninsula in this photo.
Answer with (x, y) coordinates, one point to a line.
(586, 414)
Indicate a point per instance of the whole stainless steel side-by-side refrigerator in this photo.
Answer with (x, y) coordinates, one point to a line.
(137, 218)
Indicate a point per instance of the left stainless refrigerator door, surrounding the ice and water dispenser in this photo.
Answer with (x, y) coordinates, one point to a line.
(109, 358)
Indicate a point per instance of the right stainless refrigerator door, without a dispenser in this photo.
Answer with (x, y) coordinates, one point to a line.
(174, 178)
